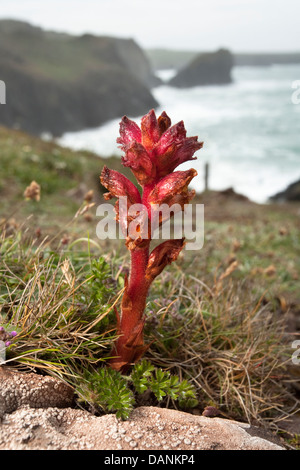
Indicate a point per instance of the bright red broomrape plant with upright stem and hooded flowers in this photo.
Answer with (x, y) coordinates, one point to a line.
(152, 152)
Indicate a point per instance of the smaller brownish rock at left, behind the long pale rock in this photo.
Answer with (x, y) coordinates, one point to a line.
(18, 389)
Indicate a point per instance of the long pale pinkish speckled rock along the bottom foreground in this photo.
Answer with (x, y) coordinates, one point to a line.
(149, 428)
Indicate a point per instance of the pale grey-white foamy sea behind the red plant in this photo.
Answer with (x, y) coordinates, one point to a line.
(250, 129)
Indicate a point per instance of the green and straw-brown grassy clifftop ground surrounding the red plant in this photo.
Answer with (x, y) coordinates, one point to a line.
(223, 317)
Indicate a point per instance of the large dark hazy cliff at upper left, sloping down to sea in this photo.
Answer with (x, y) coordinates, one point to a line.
(57, 82)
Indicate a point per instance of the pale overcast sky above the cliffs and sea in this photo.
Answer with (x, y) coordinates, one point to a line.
(240, 25)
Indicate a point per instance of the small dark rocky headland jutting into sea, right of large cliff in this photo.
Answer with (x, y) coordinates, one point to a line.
(206, 69)
